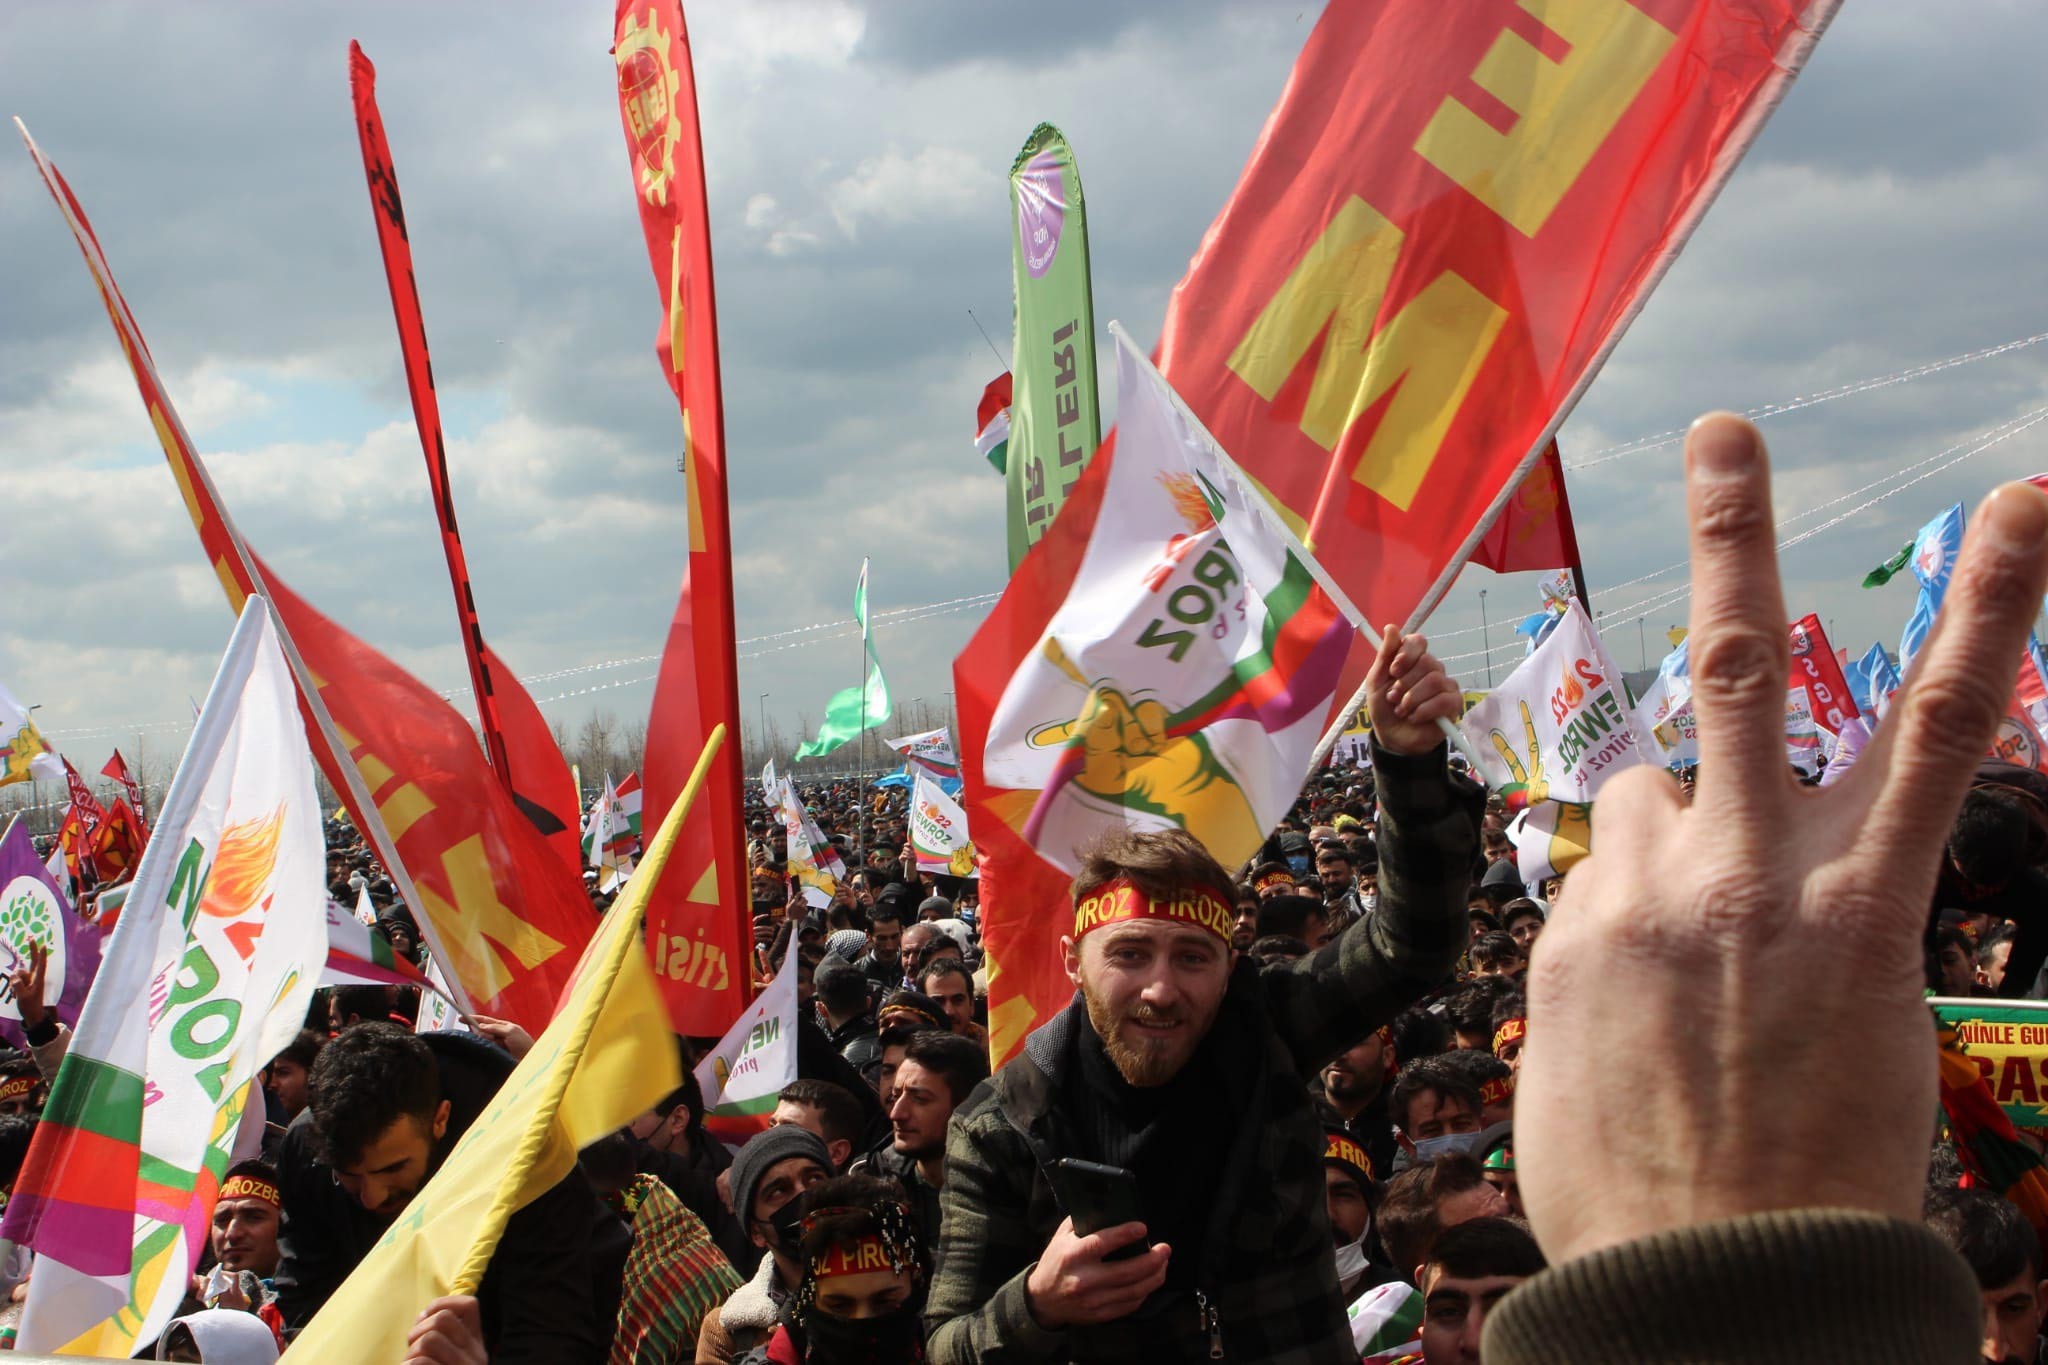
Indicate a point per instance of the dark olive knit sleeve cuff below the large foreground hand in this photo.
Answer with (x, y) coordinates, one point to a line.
(1793, 1286)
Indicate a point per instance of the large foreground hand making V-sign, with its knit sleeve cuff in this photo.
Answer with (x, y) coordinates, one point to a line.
(1758, 951)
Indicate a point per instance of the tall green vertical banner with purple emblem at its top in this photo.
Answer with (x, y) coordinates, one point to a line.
(1056, 423)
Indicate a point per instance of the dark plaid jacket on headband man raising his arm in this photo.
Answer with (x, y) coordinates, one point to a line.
(1267, 1280)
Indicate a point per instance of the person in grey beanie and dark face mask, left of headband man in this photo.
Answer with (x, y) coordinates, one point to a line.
(769, 1176)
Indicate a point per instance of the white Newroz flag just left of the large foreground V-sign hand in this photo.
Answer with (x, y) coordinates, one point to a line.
(1562, 723)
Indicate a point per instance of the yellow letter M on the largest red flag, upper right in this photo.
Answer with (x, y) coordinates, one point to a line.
(1426, 355)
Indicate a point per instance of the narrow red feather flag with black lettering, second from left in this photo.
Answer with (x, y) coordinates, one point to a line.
(523, 750)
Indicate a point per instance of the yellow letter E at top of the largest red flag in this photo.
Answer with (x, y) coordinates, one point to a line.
(1564, 107)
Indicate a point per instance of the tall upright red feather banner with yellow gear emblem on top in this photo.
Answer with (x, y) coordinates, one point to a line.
(699, 920)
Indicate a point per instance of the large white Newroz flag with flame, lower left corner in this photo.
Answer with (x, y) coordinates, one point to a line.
(206, 981)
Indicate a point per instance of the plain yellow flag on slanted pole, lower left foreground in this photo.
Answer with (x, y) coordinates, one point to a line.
(605, 1059)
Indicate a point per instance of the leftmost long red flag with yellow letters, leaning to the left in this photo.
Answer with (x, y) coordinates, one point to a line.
(495, 901)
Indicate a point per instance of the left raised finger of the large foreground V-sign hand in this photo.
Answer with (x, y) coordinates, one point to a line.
(1740, 650)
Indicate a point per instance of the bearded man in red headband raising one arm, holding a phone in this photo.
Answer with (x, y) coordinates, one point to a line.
(1191, 1073)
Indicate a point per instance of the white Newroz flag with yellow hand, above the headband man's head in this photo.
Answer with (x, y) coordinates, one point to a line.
(1185, 680)
